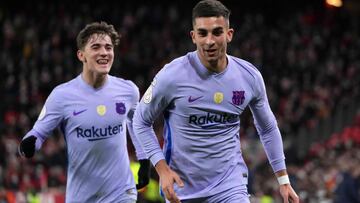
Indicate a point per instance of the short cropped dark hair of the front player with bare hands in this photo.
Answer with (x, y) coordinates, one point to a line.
(210, 8)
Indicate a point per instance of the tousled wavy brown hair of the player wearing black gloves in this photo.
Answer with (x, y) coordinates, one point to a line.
(97, 28)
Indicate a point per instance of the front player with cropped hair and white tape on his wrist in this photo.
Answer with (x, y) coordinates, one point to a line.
(202, 96)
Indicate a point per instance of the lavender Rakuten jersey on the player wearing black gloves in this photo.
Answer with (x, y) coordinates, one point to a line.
(94, 123)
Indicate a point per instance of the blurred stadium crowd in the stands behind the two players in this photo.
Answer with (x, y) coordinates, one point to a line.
(309, 57)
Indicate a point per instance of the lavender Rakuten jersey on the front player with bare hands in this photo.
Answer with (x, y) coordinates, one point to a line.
(201, 112)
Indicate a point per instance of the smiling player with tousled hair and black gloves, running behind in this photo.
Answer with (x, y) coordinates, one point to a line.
(93, 111)
